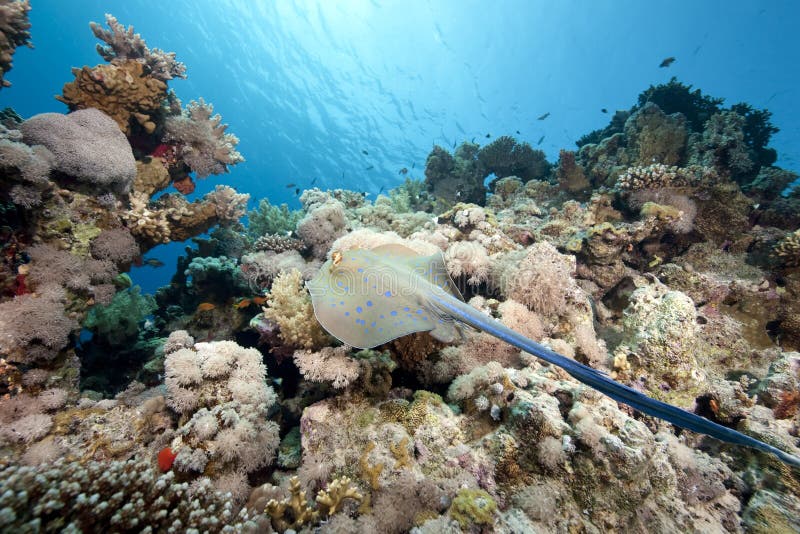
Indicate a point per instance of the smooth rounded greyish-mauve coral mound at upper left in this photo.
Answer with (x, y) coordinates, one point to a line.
(87, 145)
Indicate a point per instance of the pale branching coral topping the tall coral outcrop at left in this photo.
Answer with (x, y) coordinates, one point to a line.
(122, 45)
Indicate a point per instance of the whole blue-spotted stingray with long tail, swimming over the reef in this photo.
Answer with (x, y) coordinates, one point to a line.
(366, 298)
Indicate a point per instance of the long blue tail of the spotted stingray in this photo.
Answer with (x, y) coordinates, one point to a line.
(617, 391)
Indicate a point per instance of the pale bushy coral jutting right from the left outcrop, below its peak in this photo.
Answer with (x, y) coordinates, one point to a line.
(201, 140)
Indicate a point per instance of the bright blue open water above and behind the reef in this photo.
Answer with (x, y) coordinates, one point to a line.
(308, 86)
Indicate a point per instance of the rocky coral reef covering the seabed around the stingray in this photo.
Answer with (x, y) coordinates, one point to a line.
(664, 251)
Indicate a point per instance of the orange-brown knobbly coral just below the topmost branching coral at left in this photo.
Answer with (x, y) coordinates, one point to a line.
(122, 91)
